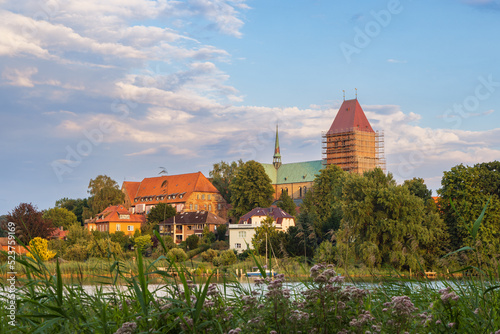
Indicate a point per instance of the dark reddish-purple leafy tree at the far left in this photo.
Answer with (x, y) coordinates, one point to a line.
(30, 223)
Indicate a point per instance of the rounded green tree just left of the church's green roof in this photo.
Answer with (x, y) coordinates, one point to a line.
(250, 188)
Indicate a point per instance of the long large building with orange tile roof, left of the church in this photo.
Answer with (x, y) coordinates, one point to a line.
(185, 192)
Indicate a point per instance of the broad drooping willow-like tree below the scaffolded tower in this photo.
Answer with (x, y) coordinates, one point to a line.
(384, 223)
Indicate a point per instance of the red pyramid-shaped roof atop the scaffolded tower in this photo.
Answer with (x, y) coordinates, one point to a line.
(350, 117)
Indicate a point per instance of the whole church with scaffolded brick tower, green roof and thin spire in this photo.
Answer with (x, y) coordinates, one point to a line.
(350, 143)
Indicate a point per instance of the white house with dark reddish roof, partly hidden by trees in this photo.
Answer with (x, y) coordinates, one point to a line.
(242, 233)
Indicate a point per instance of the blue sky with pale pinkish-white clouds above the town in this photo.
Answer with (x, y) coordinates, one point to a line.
(127, 88)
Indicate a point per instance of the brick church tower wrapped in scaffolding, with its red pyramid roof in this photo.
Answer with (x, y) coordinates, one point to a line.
(351, 143)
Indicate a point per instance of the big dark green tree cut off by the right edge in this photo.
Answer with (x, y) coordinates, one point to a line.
(470, 188)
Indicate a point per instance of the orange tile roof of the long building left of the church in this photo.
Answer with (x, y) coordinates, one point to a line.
(179, 187)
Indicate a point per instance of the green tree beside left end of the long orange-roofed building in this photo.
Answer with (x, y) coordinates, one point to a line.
(104, 192)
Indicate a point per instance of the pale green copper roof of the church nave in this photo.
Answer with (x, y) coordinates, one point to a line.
(294, 172)
